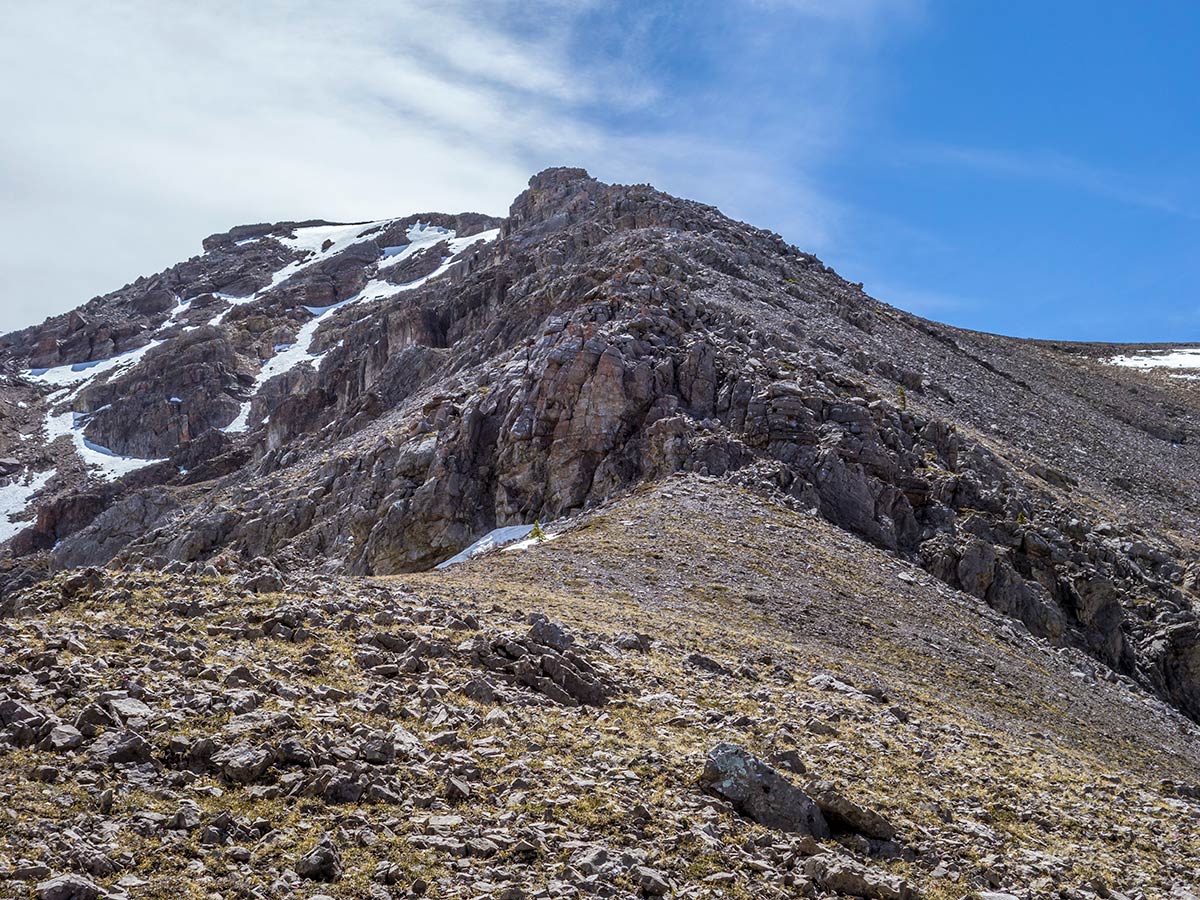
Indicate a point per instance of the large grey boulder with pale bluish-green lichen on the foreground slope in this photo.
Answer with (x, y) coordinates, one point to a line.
(760, 793)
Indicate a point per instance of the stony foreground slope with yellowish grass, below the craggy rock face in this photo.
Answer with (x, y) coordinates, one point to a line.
(353, 737)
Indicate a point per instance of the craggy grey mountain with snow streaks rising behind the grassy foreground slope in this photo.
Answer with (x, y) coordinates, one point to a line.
(607, 335)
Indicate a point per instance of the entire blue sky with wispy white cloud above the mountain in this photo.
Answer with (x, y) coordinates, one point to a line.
(1019, 167)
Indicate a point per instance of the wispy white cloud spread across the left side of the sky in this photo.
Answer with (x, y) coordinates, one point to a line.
(145, 125)
